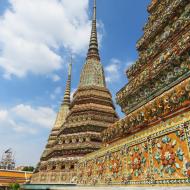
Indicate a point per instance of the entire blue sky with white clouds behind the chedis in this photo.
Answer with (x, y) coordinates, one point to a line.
(35, 40)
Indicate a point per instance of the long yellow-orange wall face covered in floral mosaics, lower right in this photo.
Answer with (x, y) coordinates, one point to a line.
(159, 155)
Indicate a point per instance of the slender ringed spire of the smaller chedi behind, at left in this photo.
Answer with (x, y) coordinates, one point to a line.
(66, 100)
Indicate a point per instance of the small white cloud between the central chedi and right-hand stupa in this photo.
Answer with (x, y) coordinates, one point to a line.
(112, 71)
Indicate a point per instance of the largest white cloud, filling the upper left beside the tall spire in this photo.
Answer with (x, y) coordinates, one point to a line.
(31, 33)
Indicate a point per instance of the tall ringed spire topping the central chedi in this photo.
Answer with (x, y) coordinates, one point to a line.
(93, 45)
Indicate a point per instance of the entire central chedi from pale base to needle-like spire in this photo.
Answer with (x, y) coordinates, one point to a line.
(91, 111)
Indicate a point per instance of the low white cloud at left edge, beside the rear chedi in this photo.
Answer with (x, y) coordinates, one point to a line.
(26, 119)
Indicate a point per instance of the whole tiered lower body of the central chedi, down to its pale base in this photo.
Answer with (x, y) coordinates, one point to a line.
(91, 112)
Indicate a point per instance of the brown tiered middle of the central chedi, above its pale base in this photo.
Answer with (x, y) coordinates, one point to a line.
(91, 112)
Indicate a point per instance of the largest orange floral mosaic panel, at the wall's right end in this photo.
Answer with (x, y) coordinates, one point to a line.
(171, 156)
